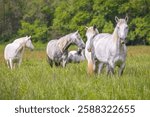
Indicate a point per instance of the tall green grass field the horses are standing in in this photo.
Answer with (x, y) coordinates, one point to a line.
(36, 80)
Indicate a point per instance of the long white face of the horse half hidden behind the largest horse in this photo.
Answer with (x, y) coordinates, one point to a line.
(90, 33)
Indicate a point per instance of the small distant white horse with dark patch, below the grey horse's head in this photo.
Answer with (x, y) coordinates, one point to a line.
(76, 56)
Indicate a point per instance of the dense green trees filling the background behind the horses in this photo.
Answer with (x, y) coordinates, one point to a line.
(48, 19)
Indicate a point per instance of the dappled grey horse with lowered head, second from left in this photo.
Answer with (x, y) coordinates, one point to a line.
(57, 50)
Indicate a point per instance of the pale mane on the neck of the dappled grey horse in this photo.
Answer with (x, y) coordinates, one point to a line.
(64, 42)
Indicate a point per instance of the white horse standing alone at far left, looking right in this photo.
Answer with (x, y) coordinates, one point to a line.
(13, 52)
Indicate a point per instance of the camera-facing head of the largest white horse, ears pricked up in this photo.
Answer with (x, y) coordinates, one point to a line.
(122, 29)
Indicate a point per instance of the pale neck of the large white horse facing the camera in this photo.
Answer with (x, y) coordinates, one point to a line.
(117, 41)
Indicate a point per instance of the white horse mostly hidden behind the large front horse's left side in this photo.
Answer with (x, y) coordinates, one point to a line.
(90, 34)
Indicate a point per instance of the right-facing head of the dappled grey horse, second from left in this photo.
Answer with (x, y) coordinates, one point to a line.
(78, 40)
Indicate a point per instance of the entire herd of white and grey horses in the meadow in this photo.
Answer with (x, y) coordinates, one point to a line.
(100, 49)
